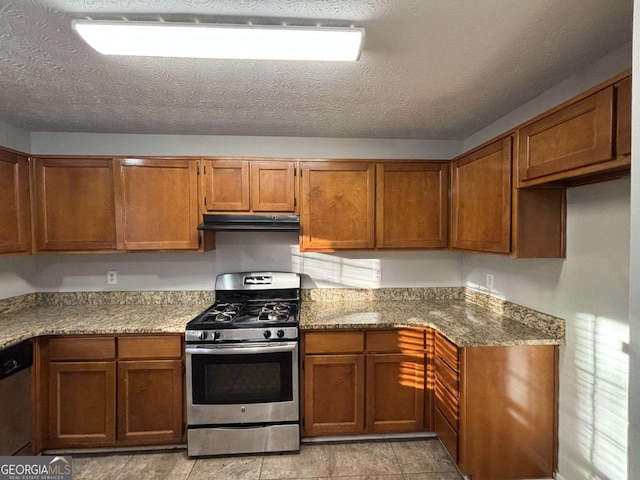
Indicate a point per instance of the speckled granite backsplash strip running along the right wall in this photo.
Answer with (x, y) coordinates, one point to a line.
(527, 316)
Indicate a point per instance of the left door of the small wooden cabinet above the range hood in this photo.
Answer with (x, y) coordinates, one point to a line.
(226, 186)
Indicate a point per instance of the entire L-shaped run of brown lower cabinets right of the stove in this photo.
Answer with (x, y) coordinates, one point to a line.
(494, 408)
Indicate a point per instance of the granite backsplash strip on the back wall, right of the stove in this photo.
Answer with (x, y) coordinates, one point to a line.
(381, 294)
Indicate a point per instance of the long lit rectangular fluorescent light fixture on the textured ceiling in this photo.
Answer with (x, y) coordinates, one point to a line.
(198, 40)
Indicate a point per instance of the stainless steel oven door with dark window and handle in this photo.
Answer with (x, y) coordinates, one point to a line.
(249, 383)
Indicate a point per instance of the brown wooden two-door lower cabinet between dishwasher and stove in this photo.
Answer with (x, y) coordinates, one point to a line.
(100, 391)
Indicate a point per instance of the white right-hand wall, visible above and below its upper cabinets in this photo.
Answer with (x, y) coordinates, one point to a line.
(590, 289)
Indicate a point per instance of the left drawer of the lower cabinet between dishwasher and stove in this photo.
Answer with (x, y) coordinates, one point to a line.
(81, 348)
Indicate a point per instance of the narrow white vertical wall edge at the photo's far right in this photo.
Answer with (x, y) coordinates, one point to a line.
(634, 298)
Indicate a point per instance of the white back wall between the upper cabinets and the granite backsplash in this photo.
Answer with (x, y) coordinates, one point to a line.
(242, 252)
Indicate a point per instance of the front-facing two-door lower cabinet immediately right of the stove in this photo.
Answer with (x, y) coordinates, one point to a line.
(370, 381)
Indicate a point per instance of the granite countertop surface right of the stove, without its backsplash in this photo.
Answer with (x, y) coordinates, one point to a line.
(464, 323)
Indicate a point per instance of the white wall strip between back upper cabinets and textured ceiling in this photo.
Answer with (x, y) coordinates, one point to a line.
(212, 145)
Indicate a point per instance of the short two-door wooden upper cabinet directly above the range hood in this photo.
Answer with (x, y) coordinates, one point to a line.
(239, 185)
